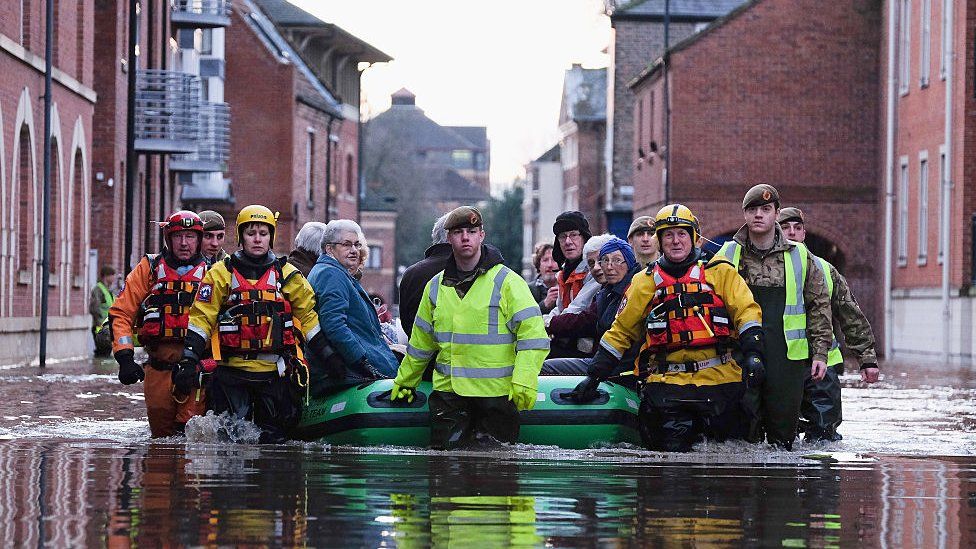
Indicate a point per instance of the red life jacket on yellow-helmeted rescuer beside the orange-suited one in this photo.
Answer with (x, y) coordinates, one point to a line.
(255, 317)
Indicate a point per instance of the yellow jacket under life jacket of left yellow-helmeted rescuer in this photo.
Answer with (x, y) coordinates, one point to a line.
(212, 299)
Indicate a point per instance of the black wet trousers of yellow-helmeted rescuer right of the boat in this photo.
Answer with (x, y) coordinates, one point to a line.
(675, 417)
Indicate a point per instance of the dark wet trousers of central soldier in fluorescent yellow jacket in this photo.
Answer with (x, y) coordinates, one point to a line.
(456, 420)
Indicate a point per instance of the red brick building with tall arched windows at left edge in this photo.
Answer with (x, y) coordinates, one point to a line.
(22, 63)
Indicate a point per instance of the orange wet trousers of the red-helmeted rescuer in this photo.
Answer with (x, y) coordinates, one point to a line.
(167, 415)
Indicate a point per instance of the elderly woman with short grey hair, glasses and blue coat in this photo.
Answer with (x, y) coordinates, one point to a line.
(345, 310)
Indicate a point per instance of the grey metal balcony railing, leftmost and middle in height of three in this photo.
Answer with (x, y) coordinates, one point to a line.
(167, 111)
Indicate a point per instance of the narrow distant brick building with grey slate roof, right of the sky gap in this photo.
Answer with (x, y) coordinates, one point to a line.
(582, 130)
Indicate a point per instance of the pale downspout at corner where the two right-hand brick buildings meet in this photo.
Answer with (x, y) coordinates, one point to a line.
(889, 179)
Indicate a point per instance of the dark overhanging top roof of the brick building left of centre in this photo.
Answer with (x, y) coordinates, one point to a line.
(289, 16)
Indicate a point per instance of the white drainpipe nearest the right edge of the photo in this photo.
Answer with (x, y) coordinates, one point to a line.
(946, 224)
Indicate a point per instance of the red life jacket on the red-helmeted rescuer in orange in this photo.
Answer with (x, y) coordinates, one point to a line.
(166, 310)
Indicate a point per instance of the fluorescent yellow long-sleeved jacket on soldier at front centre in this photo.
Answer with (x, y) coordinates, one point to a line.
(483, 343)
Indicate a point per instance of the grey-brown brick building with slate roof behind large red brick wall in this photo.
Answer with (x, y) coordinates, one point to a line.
(636, 36)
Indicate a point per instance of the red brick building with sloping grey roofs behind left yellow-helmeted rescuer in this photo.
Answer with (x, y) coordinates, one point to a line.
(294, 82)
